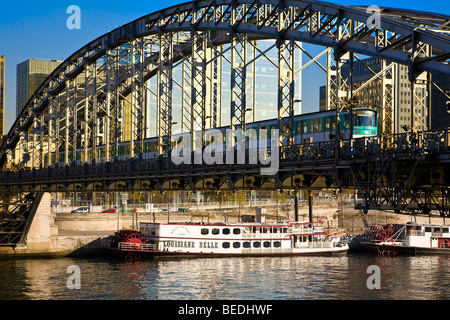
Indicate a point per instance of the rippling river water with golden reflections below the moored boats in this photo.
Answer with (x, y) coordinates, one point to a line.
(255, 278)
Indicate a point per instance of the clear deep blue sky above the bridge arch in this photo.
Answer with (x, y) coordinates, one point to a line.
(38, 30)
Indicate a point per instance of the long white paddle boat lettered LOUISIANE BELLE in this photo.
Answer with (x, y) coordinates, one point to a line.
(231, 239)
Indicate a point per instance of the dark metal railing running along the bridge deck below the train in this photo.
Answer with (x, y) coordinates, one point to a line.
(405, 144)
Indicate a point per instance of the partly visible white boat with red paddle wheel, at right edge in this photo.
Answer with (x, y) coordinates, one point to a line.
(392, 239)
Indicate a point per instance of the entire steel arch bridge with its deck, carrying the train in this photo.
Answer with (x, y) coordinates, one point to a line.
(69, 134)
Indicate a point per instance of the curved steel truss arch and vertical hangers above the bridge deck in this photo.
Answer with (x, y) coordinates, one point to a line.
(101, 97)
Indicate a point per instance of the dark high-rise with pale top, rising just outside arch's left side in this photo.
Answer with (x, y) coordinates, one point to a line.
(30, 75)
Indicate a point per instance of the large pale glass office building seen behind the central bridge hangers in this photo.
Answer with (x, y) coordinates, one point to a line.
(261, 87)
